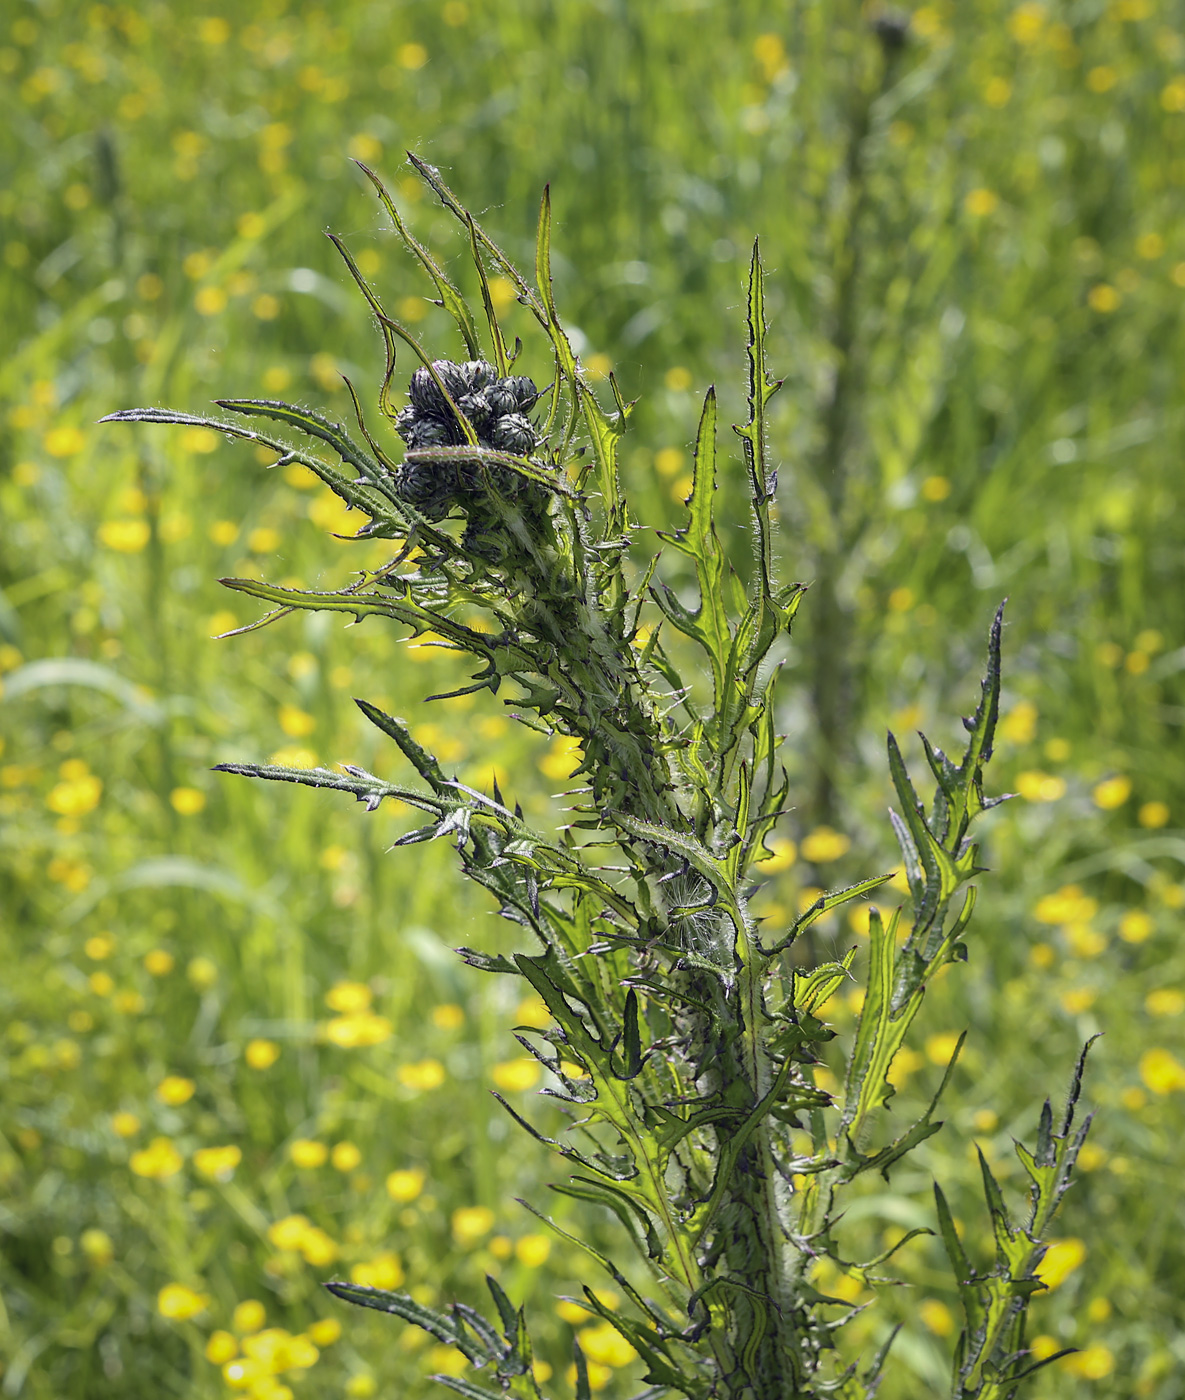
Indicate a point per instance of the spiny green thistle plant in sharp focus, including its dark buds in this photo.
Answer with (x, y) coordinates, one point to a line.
(686, 1039)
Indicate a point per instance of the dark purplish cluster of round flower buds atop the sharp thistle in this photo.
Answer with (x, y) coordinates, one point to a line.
(497, 409)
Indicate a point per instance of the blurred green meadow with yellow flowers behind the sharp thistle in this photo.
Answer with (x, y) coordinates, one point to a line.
(239, 1055)
